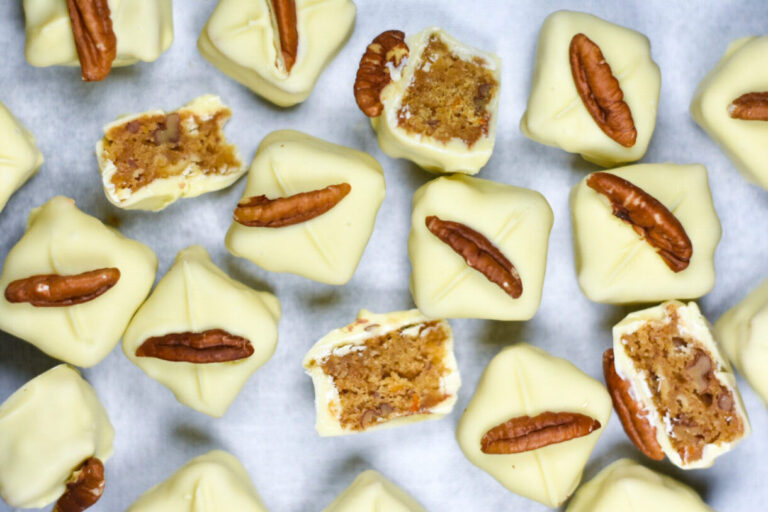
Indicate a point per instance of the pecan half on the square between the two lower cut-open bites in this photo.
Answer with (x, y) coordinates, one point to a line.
(526, 433)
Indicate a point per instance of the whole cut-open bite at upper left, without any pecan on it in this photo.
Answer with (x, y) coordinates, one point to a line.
(151, 159)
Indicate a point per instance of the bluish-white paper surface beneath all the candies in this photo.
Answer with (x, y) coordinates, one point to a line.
(270, 427)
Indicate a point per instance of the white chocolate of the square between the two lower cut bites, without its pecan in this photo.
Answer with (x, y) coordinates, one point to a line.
(526, 381)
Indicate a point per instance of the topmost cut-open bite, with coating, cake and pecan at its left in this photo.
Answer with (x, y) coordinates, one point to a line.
(431, 99)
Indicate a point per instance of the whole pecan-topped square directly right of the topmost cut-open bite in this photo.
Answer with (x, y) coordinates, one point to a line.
(595, 89)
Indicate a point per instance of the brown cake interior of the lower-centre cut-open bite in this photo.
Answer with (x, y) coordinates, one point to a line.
(388, 376)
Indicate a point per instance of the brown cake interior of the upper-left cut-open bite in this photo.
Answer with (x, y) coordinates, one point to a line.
(160, 146)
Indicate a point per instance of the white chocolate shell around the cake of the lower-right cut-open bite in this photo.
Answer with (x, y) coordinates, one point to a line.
(692, 322)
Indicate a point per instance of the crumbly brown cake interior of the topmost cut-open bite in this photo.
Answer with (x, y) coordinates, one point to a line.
(448, 96)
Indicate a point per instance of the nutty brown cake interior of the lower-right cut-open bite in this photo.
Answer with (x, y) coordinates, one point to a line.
(696, 408)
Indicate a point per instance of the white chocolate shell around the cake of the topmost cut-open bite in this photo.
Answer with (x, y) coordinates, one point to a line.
(431, 154)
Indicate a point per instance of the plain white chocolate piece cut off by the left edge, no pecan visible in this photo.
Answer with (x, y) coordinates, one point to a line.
(19, 156)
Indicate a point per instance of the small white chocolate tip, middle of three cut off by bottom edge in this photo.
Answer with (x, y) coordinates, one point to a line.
(371, 492)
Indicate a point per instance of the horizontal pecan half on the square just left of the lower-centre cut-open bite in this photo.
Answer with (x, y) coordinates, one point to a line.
(211, 346)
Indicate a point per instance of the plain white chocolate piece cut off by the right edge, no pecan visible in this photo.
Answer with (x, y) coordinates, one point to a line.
(743, 333)
